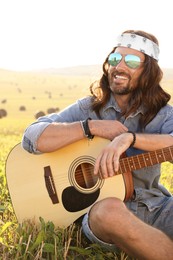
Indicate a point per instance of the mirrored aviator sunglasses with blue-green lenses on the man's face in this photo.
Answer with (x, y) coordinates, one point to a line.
(132, 61)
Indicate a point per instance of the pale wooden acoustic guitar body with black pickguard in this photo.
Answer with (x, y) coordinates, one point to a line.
(59, 186)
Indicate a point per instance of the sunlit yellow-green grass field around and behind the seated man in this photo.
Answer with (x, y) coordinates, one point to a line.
(40, 91)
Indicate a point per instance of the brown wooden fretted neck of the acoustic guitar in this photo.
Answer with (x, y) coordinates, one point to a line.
(146, 159)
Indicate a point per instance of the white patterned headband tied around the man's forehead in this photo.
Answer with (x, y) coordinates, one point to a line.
(139, 43)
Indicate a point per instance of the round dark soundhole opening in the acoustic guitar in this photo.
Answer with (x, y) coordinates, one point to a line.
(84, 176)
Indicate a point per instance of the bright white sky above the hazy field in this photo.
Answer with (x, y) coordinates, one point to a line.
(41, 34)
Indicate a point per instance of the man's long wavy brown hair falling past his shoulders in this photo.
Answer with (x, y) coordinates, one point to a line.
(149, 92)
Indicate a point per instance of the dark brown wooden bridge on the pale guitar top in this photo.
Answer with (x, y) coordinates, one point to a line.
(49, 182)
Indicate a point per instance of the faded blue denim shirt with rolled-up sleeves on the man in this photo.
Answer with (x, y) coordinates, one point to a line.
(146, 180)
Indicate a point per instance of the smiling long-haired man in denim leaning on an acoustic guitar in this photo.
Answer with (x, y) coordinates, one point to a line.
(128, 107)
